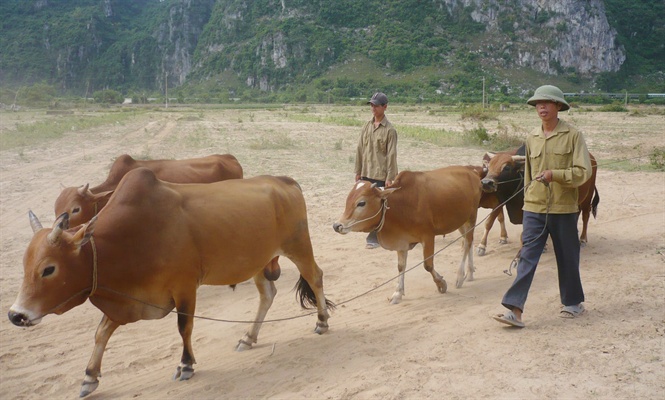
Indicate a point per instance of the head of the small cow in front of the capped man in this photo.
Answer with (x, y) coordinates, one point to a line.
(364, 208)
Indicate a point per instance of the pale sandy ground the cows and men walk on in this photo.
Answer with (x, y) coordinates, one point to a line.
(430, 346)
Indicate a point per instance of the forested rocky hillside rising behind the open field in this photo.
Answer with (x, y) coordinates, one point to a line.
(321, 49)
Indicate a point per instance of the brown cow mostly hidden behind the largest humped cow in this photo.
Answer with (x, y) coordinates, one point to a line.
(82, 203)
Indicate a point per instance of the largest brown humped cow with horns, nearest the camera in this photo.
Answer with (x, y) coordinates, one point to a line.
(155, 243)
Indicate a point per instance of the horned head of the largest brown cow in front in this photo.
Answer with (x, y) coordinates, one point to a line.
(56, 277)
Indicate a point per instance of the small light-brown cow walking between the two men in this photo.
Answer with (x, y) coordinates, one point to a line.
(419, 206)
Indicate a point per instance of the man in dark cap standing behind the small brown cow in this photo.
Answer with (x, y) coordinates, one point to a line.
(376, 157)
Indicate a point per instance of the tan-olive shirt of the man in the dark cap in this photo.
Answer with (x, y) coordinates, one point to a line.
(376, 157)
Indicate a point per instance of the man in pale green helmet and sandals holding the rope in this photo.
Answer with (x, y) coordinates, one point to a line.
(557, 163)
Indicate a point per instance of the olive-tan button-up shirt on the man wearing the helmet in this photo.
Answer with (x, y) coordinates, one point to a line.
(565, 153)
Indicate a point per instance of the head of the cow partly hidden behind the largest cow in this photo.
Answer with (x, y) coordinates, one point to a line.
(80, 203)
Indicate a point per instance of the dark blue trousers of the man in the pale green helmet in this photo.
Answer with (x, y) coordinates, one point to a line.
(563, 230)
